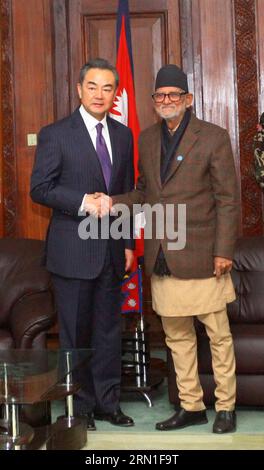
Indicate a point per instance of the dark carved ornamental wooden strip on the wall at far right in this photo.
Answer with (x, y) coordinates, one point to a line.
(247, 98)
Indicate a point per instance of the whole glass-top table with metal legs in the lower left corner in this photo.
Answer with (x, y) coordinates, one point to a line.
(29, 376)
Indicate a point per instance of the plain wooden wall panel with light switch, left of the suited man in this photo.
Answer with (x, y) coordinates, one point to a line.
(33, 101)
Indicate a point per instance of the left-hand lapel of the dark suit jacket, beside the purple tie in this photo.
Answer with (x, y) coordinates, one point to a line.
(85, 145)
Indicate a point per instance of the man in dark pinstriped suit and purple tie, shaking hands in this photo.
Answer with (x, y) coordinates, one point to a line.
(85, 153)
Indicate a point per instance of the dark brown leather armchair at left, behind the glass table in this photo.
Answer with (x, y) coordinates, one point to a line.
(27, 308)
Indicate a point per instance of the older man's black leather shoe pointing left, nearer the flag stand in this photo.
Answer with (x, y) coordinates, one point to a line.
(182, 419)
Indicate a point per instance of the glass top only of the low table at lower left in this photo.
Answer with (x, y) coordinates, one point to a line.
(28, 376)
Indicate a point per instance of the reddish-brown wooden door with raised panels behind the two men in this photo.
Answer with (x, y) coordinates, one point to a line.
(92, 33)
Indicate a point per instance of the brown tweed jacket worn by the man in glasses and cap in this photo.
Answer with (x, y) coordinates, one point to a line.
(202, 176)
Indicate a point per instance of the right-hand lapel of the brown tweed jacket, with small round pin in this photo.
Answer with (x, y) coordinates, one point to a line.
(186, 144)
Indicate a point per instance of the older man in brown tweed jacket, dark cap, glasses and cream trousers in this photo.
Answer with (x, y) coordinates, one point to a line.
(184, 160)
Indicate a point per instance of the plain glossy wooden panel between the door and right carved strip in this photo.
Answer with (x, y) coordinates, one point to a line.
(207, 25)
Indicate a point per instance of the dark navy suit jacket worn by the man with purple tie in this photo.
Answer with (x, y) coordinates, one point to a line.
(67, 167)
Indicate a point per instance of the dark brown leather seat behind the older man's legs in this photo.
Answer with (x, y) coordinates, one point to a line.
(246, 316)
